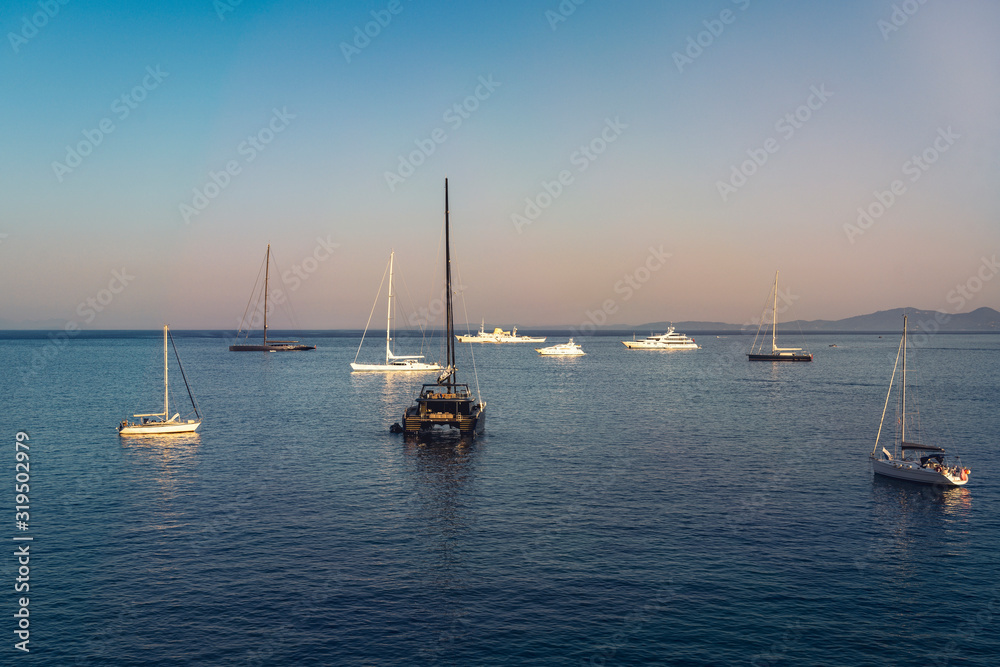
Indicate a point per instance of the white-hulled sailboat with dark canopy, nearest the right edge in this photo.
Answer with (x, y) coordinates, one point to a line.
(908, 460)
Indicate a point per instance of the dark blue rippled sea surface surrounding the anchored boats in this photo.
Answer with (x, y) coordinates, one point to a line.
(622, 508)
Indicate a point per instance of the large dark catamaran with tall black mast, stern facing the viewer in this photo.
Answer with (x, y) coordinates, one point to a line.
(445, 404)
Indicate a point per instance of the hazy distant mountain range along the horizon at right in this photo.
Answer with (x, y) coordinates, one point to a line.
(981, 320)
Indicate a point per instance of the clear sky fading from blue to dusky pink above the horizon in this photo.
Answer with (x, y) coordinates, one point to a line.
(608, 162)
